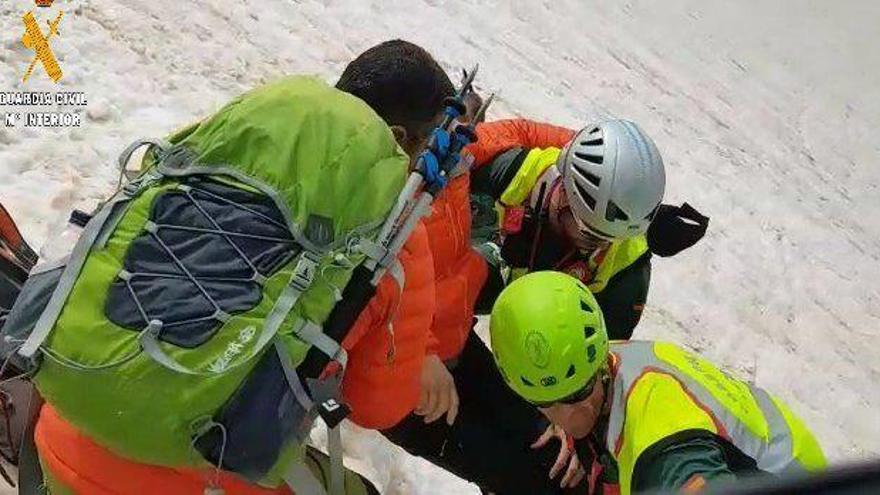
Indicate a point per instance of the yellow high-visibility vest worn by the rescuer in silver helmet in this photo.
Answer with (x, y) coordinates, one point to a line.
(537, 167)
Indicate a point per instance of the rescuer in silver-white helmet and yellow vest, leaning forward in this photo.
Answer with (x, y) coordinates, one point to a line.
(587, 204)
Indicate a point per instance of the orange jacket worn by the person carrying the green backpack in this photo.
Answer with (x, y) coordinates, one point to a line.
(381, 385)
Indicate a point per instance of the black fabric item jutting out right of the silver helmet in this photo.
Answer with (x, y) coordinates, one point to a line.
(676, 228)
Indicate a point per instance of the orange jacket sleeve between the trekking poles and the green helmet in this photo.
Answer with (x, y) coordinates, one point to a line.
(460, 271)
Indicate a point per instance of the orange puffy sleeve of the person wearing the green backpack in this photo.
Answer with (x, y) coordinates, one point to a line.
(386, 347)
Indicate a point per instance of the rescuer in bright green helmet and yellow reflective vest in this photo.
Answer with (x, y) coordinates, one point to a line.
(652, 414)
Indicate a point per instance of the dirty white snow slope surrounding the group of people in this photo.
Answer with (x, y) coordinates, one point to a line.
(764, 111)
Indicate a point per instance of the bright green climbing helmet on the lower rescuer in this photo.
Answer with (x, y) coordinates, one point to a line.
(548, 336)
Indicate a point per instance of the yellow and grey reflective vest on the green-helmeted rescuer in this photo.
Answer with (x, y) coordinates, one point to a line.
(660, 389)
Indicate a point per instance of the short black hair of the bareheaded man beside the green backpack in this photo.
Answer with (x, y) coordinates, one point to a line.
(401, 82)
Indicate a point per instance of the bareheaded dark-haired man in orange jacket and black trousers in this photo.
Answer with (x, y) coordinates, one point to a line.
(467, 421)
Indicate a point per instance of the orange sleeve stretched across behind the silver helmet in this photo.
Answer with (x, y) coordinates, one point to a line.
(499, 136)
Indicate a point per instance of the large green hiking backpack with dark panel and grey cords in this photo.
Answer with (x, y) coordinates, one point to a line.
(198, 288)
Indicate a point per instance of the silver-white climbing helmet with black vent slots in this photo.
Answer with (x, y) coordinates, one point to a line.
(614, 179)
